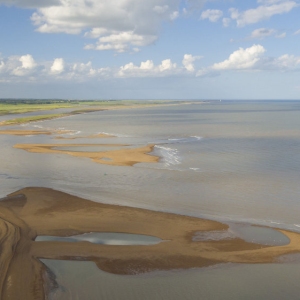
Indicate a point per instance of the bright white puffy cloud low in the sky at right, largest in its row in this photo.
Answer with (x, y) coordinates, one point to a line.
(241, 59)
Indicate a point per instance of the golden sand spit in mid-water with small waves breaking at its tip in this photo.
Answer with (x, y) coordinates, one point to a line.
(119, 157)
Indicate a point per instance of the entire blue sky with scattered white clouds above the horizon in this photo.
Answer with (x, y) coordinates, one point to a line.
(153, 49)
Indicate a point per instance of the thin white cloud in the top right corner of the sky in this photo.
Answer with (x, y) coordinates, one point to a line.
(262, 12)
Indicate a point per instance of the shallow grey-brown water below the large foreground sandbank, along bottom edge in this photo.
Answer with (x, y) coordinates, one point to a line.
(83, 280)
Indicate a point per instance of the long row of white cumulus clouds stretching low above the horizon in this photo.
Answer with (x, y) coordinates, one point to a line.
(24, 68)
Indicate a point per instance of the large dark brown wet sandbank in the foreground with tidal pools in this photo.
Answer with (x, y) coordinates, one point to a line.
(32, 212)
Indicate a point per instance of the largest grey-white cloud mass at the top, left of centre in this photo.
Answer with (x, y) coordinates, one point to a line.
(118, 24)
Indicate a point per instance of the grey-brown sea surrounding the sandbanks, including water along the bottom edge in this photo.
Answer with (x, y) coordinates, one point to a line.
(237, 162)
